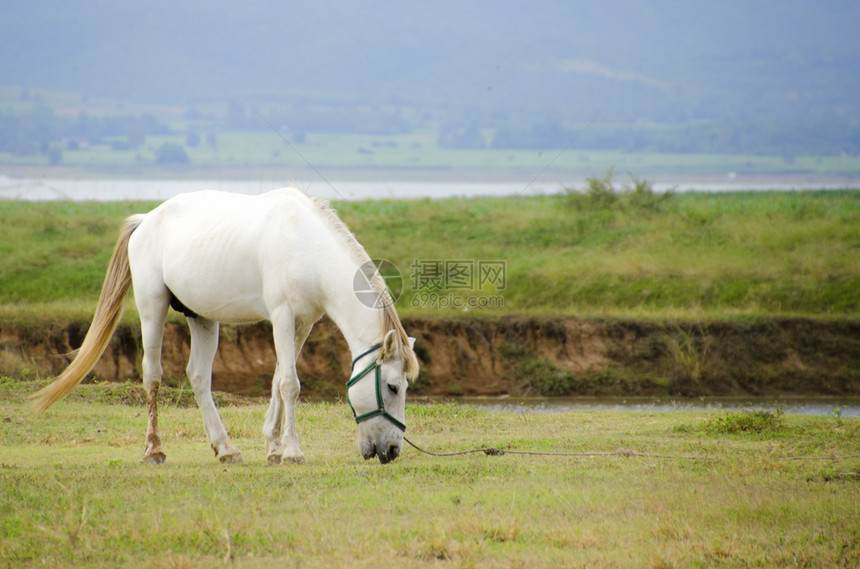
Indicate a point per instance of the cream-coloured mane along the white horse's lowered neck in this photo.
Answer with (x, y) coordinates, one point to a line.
(390, 319)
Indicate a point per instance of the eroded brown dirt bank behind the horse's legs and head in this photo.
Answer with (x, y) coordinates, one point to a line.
(516, 356)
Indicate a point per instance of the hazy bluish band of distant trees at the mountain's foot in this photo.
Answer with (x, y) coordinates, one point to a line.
(39, 130)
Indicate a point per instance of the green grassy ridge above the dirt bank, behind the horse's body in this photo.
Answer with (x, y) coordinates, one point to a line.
(587, 252)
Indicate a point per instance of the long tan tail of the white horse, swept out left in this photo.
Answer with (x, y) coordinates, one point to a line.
(105, 320)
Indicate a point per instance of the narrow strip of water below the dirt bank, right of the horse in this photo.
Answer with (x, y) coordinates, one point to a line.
(827, 406)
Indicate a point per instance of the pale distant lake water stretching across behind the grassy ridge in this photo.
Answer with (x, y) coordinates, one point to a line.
(46, 189)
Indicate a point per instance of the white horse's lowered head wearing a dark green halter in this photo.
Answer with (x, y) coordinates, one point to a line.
(377, 395)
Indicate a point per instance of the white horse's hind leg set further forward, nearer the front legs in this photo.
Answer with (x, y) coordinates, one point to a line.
(204, 344)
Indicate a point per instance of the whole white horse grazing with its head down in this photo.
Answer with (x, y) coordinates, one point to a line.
(280, 256)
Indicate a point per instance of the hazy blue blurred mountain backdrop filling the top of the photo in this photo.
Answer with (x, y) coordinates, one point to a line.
(479, 63)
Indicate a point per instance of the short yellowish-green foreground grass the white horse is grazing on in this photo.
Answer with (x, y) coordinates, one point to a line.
(73, 493)
